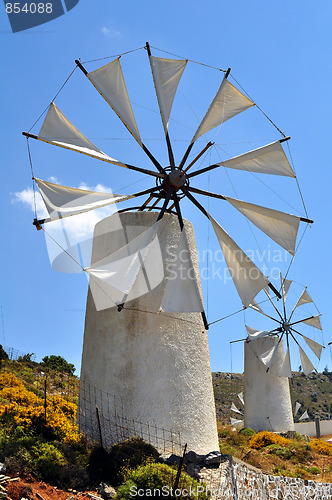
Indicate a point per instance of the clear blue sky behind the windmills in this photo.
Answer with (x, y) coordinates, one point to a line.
(279, 52)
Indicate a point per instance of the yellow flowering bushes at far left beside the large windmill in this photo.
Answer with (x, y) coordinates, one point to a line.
(27, 410)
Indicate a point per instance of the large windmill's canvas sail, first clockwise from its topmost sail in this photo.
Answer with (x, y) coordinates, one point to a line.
(228, 102)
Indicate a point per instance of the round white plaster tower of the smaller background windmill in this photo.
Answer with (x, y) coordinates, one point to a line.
(267, 396)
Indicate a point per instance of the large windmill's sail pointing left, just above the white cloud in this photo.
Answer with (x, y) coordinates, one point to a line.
(64, 201)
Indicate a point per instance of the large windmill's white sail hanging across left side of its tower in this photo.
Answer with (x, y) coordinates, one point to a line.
(114, 277)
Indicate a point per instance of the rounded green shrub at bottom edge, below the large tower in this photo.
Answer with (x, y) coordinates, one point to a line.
(156, 477)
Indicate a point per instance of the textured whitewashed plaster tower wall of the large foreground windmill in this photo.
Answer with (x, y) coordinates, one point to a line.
(157, 364)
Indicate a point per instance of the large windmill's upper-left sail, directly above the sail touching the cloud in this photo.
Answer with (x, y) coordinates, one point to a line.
(58, 130)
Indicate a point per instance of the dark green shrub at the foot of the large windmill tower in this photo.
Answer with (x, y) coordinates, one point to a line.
(112, 466)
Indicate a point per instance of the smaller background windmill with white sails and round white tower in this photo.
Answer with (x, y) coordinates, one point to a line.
(268, 367)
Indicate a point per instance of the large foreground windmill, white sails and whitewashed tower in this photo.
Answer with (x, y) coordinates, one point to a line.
(154, 355)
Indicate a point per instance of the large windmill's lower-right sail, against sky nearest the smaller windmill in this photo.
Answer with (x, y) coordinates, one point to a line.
(247, 278)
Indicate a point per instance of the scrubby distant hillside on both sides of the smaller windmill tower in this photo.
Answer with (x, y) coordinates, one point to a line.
(313, 392)
